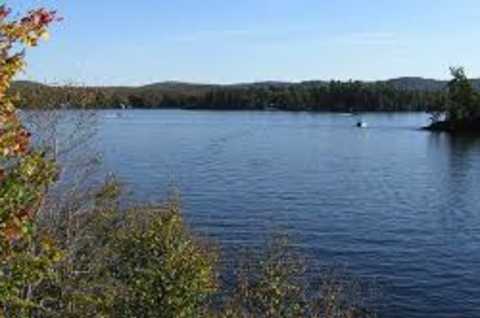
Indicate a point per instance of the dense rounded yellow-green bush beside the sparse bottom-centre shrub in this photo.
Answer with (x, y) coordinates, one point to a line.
(160, 265)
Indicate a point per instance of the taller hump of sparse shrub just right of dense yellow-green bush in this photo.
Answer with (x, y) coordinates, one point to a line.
(270, 285)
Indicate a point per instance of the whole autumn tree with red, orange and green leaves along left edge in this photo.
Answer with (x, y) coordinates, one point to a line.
(26, 256)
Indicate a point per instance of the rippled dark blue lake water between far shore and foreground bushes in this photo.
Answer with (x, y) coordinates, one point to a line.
(393, 204)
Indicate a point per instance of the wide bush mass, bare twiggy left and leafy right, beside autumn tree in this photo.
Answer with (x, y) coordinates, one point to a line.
(134, 262)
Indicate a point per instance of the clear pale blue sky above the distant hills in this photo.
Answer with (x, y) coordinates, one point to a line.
(119, 42)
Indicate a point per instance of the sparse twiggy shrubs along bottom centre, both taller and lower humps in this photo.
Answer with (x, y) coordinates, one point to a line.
(274, 283)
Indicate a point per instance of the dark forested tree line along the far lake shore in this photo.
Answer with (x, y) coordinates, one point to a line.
(351, 96)
